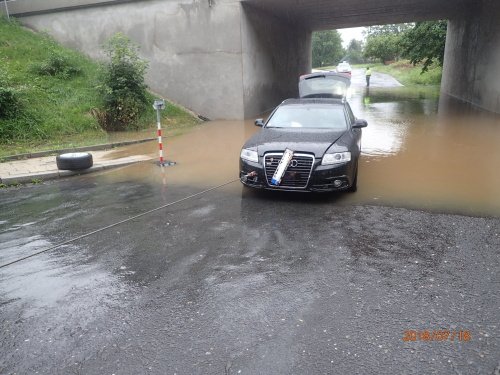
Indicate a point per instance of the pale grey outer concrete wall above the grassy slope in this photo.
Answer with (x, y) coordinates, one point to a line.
(194, 49)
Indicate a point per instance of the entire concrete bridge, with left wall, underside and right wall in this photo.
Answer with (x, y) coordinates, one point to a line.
(237, 58)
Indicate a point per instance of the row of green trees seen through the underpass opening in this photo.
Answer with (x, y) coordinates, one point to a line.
(420, 42)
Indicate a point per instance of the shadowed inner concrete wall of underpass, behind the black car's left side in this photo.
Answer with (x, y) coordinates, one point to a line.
(275, 54)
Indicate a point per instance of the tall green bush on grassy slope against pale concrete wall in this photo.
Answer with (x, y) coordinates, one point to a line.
(124, 95)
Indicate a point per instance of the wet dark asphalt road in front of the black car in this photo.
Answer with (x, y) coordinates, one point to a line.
(234, 282)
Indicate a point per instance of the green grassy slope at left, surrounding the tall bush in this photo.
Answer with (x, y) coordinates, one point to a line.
(52, 110)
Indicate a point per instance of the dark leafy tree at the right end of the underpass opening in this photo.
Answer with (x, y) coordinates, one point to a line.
(425, 42)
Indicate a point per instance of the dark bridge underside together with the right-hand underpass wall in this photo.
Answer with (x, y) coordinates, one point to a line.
(472, 58)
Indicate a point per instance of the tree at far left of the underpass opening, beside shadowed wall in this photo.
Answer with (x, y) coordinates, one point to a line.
(326, 48)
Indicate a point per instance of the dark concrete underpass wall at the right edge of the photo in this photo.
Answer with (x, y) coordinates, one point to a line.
(471, 71)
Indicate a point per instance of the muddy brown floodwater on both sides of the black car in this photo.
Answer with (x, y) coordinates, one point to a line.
(413, 155)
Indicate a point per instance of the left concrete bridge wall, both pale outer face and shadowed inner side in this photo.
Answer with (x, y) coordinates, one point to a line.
(215, 58)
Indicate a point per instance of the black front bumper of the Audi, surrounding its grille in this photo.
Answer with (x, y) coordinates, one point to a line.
(323, 178)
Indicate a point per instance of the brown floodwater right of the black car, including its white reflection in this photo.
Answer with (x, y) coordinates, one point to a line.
(416, 156)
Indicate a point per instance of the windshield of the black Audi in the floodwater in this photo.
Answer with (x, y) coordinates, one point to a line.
(309, 116)
